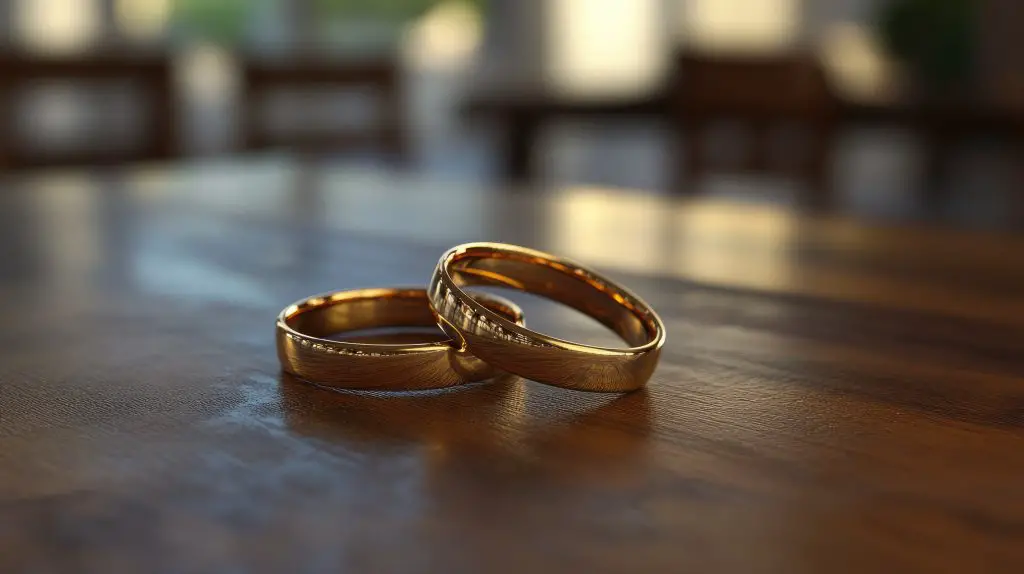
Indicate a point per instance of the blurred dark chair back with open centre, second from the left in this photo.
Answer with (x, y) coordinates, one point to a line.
(379, 78)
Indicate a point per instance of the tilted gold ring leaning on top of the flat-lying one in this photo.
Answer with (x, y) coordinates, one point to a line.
(533, 356)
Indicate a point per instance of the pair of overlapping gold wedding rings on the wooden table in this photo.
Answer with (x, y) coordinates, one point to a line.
(488, 334)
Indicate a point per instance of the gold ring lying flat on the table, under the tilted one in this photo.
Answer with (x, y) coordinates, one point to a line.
(305, 351)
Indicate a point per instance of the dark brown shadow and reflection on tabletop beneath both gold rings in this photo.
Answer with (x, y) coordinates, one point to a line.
(503, 423)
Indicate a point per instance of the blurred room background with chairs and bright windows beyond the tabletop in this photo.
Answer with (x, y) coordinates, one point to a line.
(907, 110)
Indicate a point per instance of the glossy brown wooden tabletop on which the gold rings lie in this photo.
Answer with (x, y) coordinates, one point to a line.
(833, 398)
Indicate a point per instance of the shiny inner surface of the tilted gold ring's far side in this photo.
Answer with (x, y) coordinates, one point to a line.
(582, 291)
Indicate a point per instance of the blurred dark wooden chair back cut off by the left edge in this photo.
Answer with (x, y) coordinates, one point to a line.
(151, 75)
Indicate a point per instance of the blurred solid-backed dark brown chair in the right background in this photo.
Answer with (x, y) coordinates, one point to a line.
(762, 94)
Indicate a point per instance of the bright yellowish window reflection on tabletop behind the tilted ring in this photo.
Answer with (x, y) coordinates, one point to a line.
(712, 242)
